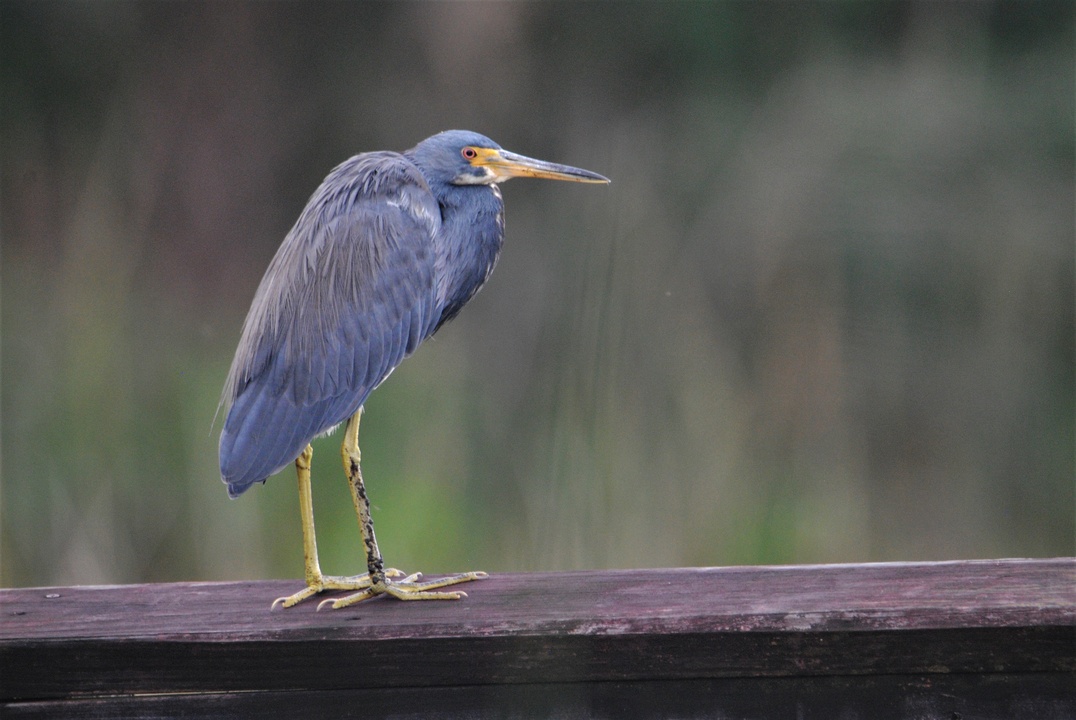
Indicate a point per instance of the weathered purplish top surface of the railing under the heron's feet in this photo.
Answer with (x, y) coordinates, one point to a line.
(871, 597)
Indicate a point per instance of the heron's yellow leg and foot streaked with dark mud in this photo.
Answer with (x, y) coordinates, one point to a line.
(378, 583)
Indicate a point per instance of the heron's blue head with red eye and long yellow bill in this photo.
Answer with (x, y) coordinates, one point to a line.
(462, 158)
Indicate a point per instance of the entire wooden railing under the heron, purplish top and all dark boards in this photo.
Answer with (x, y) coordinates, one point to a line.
(950, 641)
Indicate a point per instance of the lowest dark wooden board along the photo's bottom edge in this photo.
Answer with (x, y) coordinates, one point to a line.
(1040, 696)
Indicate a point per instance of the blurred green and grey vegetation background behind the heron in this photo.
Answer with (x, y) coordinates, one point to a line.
(824, 314)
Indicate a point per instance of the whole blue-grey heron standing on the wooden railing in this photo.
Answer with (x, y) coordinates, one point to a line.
(389, 249)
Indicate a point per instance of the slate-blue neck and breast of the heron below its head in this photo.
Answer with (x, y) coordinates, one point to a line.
(473, 233)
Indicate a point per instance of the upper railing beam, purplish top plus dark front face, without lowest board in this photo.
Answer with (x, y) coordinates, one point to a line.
(984, 617)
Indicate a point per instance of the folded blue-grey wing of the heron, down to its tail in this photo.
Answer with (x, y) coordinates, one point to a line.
(349, 295)
